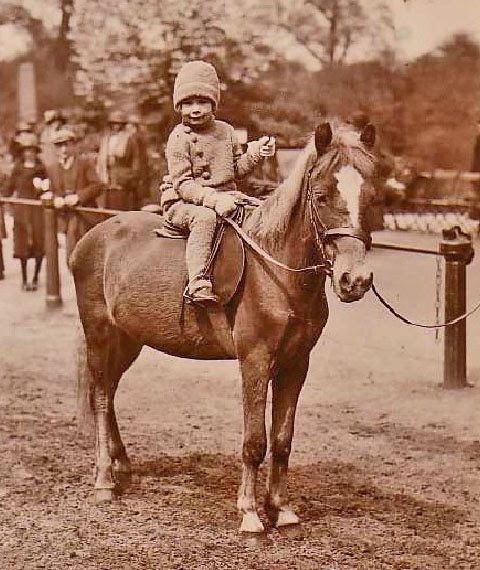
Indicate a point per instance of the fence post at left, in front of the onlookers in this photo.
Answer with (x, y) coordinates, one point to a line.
(53, 298)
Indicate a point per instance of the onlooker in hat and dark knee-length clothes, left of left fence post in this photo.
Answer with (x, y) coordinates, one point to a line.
(28, 226)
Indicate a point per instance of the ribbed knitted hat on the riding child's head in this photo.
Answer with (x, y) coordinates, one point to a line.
(196, 78)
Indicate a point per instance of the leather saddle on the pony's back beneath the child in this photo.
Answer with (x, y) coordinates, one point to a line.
(226, 265)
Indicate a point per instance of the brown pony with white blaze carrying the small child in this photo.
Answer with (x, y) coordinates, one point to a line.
(129, 286)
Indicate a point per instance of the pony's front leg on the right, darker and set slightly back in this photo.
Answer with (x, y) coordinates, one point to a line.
(286, 387)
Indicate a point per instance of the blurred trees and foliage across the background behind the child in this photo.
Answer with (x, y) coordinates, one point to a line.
(284, 64)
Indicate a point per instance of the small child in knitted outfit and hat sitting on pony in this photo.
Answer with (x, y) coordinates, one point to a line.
(204, 159)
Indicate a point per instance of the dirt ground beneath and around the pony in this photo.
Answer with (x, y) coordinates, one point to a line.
(385, 470)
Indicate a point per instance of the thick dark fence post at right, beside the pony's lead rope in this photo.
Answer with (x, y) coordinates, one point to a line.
(458, 253)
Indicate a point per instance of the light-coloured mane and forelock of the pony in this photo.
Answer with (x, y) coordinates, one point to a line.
(269, 222)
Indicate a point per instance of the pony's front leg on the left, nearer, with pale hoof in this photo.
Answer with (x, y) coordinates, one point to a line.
(255, 370)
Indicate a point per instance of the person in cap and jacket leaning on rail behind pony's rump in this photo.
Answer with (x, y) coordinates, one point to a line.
(74, 181)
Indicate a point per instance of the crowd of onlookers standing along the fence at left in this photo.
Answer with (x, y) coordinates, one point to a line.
(80, 163)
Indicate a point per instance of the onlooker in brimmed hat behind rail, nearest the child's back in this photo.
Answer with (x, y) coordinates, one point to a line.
(118, 164)
